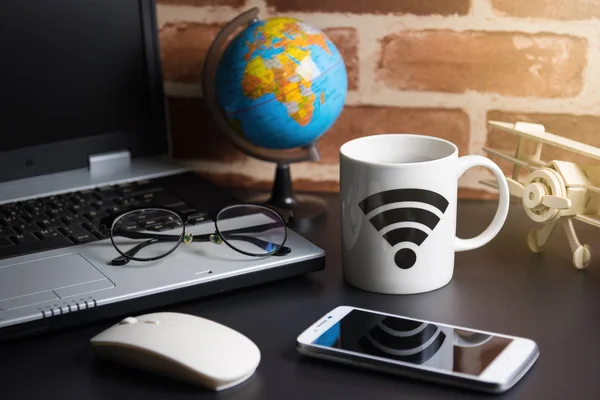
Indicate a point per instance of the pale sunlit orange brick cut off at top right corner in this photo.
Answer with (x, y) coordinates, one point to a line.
(548, 9)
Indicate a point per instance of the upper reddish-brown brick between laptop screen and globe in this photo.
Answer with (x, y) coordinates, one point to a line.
(183, 49)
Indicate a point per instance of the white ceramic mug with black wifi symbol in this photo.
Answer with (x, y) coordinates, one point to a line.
(398, 196)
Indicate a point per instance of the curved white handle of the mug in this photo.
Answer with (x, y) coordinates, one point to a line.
(464, 163)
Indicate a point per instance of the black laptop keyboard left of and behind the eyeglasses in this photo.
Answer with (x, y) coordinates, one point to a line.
(68, 219)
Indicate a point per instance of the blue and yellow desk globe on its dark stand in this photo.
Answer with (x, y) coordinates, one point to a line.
(279, 85)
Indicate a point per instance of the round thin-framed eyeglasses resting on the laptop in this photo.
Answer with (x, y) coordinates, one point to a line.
(148, 234)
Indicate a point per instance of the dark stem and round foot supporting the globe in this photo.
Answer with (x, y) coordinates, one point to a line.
(303, 209)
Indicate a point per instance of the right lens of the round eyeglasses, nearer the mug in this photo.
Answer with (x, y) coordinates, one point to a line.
(250, 229)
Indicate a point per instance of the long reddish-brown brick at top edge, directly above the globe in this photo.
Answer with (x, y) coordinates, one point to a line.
(417, 7)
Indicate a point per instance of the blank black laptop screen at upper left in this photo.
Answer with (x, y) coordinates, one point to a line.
(79, 72)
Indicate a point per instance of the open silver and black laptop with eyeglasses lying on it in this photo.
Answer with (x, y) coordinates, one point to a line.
(83, 134)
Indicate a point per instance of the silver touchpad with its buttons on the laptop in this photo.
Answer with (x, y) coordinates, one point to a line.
(47, 279)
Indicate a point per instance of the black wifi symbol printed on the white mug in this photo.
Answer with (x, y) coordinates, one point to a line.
(405, 257)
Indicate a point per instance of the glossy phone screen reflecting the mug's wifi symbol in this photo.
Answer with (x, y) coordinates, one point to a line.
(416, 342)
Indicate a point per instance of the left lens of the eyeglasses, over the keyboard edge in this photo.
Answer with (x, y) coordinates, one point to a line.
(147, 234)
